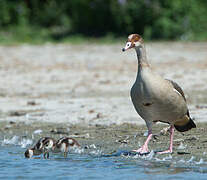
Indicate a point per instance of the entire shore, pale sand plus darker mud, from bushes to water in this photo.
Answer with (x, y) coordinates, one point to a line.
(82, 91)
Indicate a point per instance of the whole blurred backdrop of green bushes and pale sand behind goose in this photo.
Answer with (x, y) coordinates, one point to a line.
(62, 60)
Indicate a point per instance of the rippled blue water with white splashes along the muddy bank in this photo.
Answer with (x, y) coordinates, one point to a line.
(94, 165)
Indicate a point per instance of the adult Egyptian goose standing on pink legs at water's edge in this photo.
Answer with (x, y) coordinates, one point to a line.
(157, 99)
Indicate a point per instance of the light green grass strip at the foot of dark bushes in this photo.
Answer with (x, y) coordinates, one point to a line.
(24, 34)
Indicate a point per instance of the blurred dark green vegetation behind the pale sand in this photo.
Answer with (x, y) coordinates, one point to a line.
(40, 21)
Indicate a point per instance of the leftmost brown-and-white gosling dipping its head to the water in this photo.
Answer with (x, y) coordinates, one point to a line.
(44, 145)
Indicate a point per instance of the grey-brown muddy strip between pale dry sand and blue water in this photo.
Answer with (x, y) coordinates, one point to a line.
(110, 139)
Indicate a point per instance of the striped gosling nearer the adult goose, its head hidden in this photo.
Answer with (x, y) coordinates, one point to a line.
(63, 144)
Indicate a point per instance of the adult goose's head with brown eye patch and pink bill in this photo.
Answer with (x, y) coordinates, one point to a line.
(134, 40)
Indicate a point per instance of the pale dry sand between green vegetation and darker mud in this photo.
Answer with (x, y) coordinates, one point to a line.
(90, 84)
